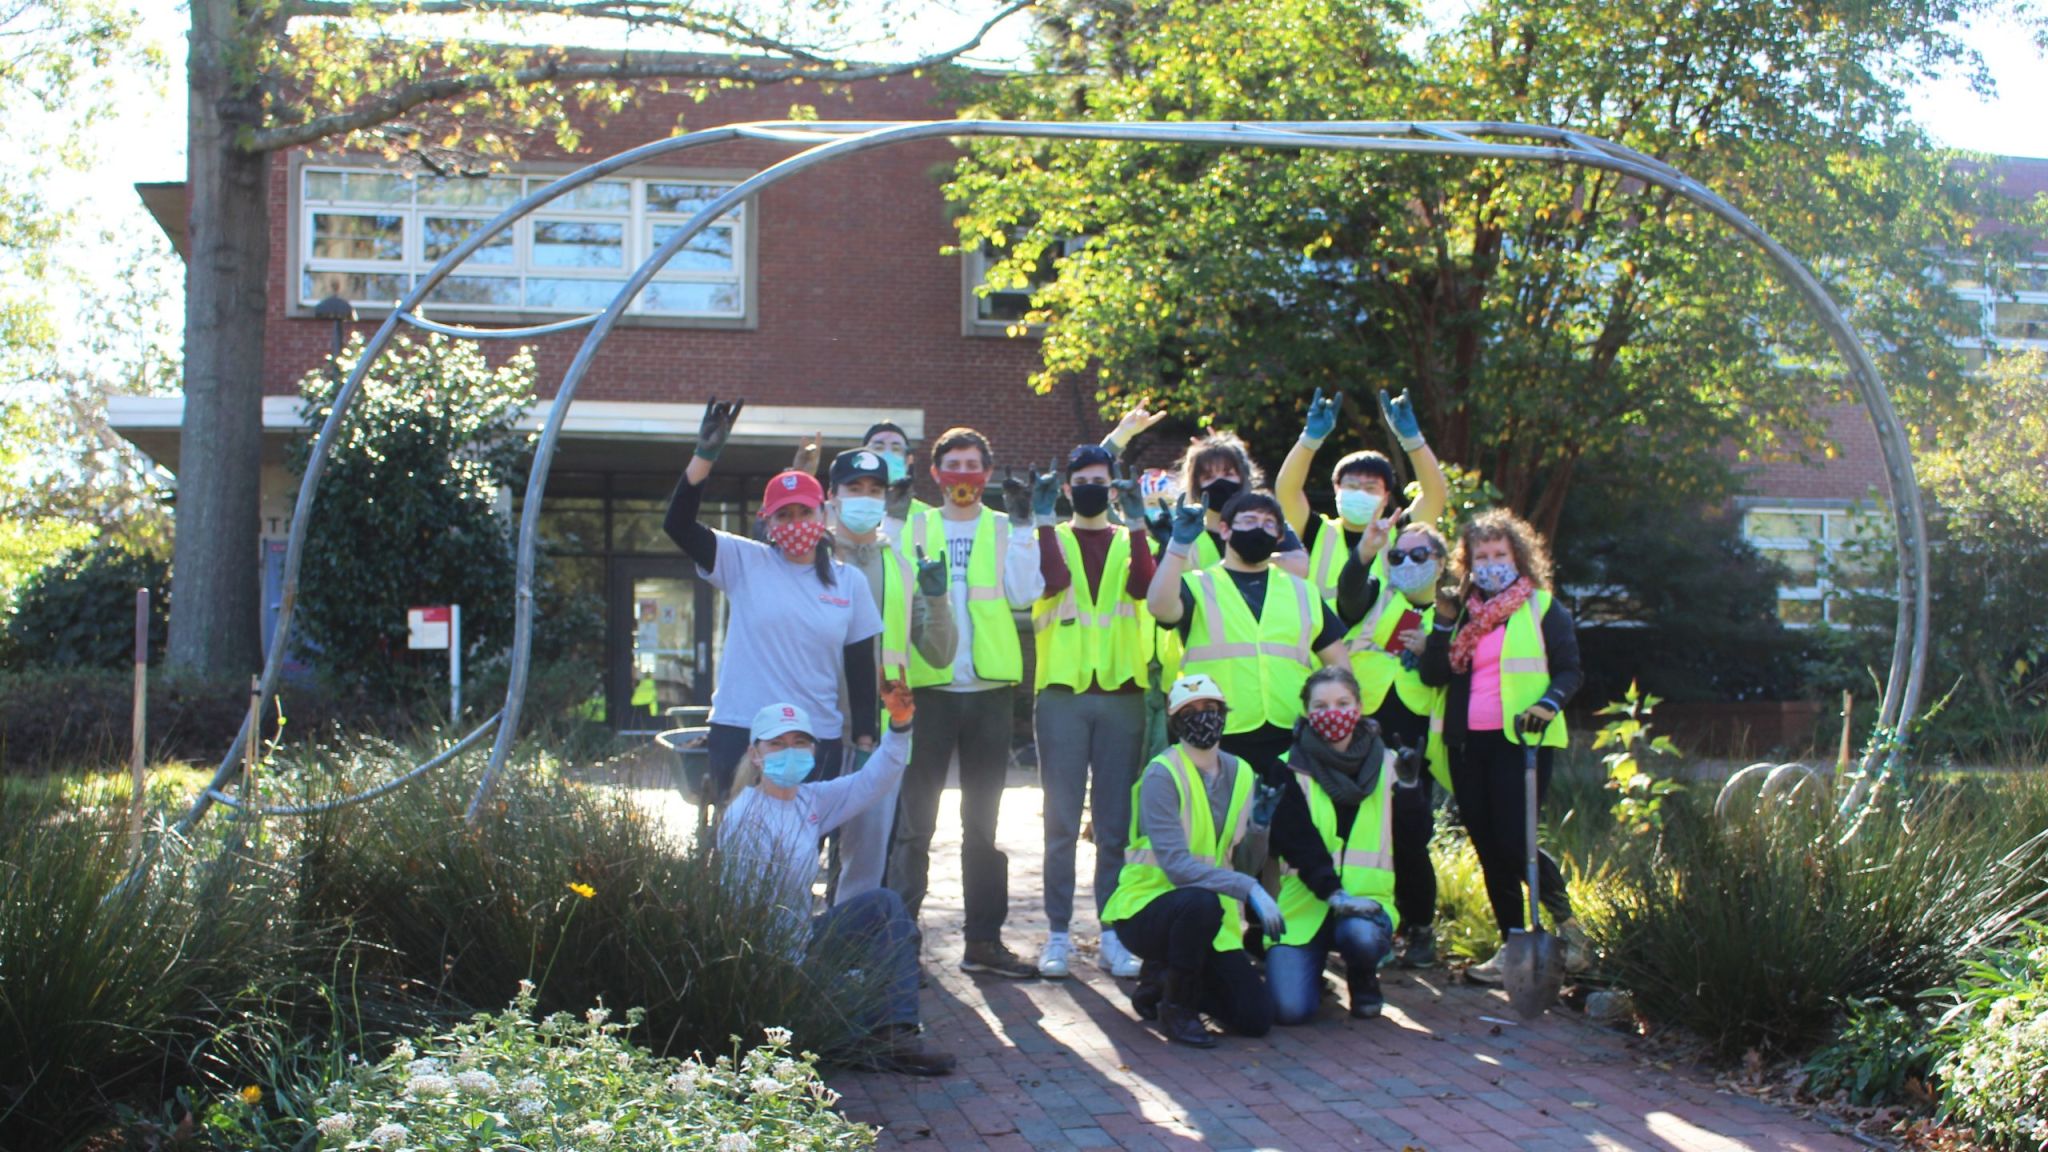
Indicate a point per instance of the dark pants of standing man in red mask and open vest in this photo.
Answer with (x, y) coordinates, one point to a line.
(978, 727)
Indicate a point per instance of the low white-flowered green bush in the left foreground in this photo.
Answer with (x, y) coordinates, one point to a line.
(509, 1079)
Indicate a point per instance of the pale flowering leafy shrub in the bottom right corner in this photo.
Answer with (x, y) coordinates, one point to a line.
(1996, 1071)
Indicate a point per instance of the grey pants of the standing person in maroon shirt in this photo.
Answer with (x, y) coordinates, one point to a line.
(1080, 737)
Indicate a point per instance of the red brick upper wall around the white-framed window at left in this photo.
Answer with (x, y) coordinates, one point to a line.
(855, 302)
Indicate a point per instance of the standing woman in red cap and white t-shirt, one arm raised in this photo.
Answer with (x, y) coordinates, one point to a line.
(796, 616)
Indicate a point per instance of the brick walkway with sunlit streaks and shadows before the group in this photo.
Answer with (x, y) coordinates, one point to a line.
(1449, 1069)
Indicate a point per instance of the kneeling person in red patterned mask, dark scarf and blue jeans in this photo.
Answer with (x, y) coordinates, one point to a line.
(1334, 835)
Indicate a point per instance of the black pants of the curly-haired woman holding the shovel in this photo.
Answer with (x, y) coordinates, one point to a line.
(1486, 776)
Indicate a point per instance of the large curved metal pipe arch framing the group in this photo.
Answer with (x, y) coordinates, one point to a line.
(833, 140)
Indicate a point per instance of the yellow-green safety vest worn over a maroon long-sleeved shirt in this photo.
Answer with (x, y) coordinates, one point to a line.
(1089, 639)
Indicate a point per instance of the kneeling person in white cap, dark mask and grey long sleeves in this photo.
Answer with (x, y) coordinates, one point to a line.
(1179, 903)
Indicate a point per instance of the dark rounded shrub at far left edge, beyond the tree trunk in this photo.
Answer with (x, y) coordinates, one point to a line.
(79, 612)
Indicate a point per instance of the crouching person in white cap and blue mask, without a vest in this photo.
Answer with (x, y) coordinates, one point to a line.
(775, 827)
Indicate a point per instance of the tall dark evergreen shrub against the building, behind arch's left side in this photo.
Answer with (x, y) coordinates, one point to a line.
(409, 511)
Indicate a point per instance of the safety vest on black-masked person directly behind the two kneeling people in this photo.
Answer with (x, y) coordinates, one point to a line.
(1258, 663)
